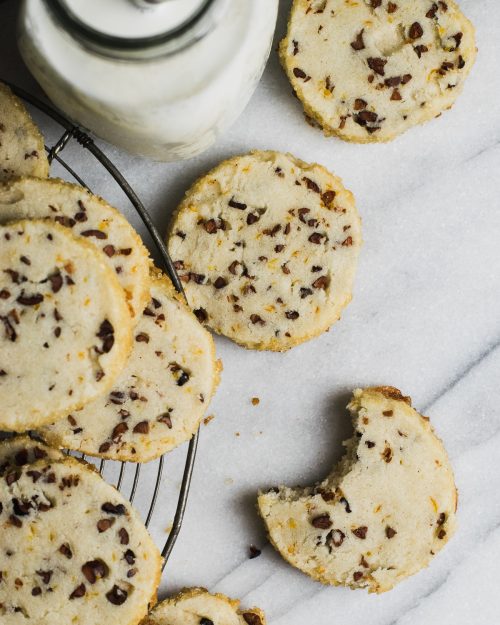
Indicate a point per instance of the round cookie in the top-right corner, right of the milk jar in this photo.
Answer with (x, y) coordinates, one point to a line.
(369, 70)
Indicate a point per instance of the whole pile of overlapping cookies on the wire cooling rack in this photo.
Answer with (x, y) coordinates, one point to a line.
(99, 354)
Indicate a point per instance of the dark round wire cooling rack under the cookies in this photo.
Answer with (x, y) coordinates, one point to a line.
(74, 133)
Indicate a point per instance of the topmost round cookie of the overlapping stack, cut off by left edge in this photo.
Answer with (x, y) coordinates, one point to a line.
(65, 328)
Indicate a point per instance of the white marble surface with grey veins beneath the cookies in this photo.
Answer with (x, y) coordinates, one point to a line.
(425, 318)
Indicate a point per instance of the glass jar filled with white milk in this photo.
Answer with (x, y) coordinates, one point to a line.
(160, 78)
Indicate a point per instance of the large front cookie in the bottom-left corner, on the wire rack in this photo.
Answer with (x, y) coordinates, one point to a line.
(72, 549)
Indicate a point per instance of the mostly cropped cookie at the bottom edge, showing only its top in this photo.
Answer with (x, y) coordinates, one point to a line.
(196, 606)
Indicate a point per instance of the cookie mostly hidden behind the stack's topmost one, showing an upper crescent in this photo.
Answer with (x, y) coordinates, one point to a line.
(89, 217)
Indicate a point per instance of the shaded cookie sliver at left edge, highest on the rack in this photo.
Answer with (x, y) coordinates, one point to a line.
(22, 151)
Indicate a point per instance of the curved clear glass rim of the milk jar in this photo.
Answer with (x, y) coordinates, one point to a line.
(170, 41)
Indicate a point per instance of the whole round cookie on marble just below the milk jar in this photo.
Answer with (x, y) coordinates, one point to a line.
(267, 247)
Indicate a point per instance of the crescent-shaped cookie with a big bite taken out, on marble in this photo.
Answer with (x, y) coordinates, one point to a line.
(384, 512)
